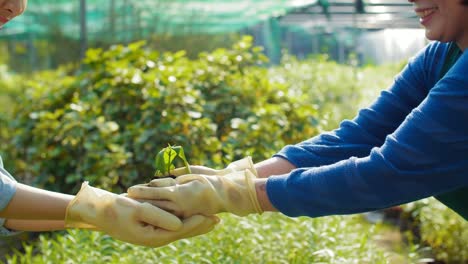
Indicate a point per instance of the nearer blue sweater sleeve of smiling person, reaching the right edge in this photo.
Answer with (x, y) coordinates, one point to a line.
(425, 156)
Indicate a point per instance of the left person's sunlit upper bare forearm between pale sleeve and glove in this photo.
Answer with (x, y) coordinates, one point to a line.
(31, 203)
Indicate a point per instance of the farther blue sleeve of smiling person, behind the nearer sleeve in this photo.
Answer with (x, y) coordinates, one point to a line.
(369, 129)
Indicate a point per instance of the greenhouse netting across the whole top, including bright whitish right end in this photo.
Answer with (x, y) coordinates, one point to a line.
(121, 19)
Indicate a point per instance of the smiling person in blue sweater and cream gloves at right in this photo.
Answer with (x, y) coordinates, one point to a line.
(411, 143)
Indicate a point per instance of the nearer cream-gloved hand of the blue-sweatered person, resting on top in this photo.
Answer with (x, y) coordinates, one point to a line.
(192, 194)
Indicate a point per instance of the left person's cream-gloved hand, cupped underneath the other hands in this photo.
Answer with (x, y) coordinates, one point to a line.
(129, 220)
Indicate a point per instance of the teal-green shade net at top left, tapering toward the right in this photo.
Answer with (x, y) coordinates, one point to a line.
(131, 19)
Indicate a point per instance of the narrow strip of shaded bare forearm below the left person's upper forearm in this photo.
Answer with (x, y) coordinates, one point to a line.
(34, 225)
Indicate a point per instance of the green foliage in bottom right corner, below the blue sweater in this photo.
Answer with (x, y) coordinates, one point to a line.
(444, 231)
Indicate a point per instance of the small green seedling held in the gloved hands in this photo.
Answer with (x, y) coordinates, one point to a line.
(168, 159)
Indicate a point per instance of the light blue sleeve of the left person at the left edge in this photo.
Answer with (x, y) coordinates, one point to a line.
(7, 190)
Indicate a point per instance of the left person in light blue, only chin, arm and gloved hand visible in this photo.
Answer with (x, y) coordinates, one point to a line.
(27, 208)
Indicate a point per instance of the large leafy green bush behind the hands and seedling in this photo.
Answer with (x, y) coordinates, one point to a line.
(106, 123)
